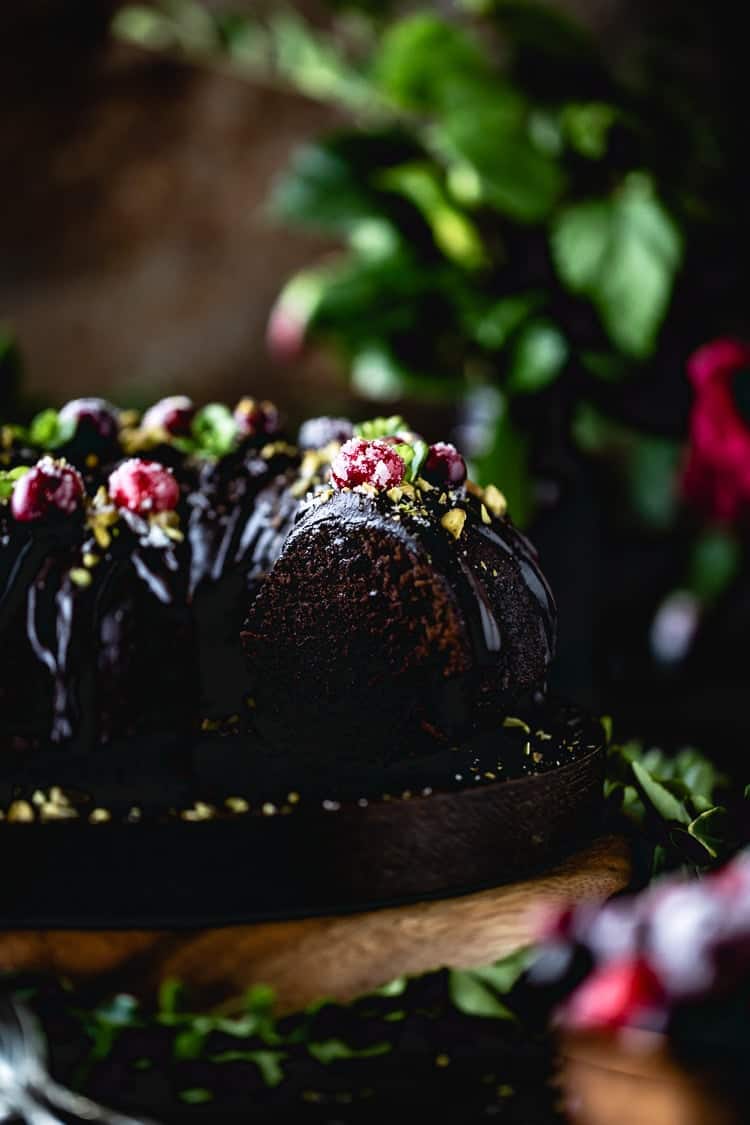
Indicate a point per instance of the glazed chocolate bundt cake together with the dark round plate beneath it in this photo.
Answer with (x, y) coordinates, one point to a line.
(333, 652)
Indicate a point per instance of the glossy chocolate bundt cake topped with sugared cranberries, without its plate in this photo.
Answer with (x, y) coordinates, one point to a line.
(359, 600)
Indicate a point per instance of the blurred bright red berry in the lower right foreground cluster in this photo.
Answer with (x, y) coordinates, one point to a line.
(621, 994)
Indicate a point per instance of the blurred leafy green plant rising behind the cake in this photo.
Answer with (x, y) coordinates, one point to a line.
(496, 197)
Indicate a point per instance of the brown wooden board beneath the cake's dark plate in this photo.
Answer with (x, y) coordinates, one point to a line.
(340, 958)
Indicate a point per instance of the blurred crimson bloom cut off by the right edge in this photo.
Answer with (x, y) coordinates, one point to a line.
(717, 478)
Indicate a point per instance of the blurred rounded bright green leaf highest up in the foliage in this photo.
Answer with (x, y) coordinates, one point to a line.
(426, 62)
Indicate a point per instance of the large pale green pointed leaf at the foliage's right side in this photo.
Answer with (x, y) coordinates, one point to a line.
(622, 254)
